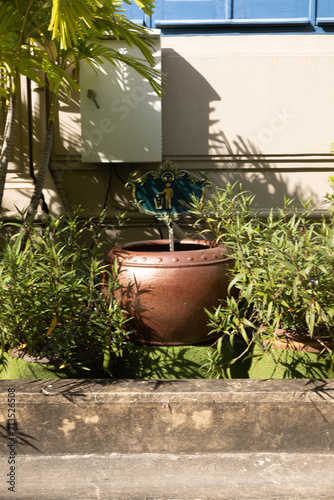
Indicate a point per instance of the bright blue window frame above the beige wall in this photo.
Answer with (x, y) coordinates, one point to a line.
(237, 16)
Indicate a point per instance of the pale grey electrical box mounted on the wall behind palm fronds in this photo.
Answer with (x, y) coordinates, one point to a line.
(120, 112)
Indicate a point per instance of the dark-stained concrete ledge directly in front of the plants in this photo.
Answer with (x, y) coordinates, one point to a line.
(168, 416)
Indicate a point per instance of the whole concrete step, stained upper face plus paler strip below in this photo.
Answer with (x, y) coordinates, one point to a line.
(167, 439)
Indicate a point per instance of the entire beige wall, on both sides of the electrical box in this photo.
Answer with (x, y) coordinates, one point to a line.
(257, 109)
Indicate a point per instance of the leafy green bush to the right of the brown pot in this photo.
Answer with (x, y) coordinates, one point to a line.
(282, 278)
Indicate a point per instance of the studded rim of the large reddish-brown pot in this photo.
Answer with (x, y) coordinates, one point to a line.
(156, 253)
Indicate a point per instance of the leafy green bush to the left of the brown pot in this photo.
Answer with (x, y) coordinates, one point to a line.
(52, 299)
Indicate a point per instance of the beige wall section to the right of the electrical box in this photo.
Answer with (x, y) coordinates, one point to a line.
(252, 108)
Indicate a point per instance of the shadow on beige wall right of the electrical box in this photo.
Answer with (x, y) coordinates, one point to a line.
(191, 135)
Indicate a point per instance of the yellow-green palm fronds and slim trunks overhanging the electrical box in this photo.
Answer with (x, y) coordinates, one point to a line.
(45, 41)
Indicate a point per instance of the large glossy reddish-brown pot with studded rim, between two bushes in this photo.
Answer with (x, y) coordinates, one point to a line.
(166, 292)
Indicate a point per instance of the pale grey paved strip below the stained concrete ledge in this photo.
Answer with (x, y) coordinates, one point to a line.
(144, 476)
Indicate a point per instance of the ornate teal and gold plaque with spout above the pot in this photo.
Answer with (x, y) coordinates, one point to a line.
(166, 193)
